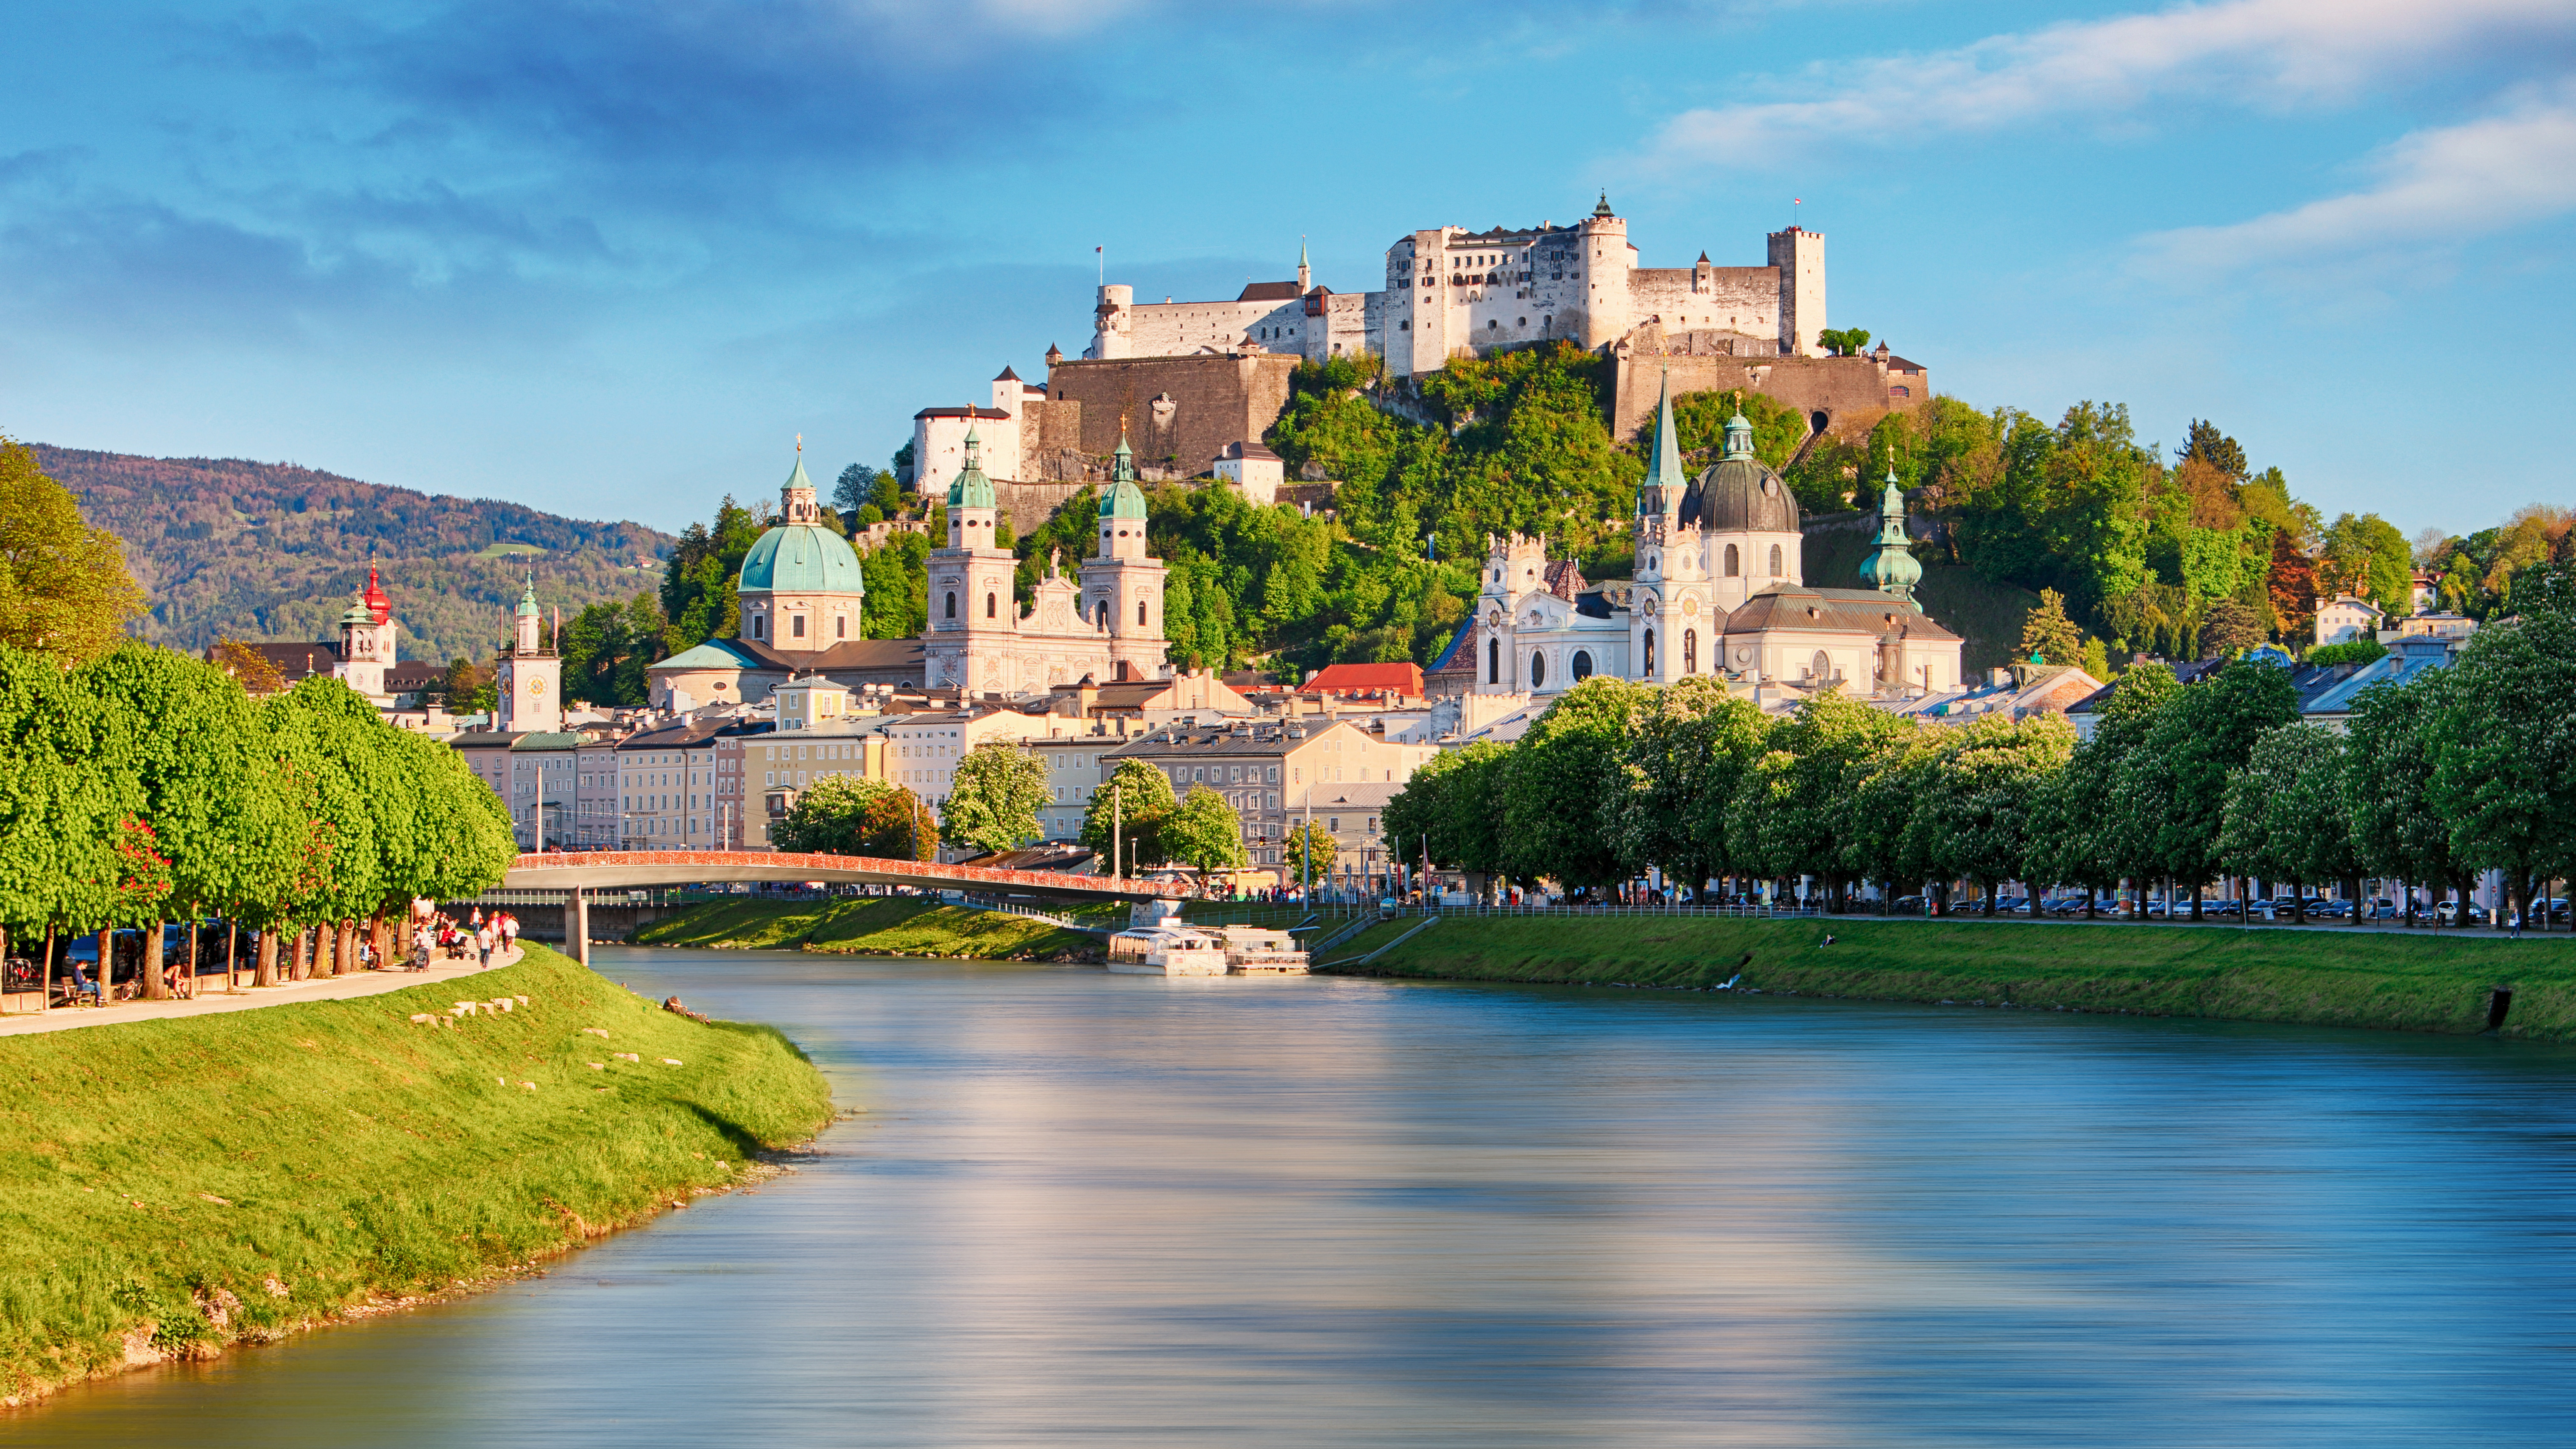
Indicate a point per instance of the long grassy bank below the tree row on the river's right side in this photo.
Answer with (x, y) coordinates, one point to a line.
(2327, 978)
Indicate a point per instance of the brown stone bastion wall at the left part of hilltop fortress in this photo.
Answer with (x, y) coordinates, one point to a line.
(1179, 411)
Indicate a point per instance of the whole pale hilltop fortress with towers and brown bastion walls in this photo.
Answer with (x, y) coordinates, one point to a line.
(1197, 385)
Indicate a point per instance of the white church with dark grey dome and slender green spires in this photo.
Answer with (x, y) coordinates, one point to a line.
(1719, 592)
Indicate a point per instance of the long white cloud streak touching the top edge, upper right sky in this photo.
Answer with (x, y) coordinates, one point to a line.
(2260, 53)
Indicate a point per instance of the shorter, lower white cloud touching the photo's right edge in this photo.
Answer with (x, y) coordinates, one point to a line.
(2436, 184)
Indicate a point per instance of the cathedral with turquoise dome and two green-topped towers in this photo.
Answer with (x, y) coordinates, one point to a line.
(802, 597)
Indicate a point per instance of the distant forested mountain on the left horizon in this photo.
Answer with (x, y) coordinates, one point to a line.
(246, 550)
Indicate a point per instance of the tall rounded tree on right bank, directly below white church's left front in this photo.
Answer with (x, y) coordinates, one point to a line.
(1567, 785)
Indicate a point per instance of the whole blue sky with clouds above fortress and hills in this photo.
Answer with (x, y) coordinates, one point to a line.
(612, 257)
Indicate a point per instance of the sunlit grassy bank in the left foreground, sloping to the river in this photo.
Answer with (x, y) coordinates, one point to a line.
(171, 1187)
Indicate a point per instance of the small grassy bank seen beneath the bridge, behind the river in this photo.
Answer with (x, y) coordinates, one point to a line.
(869, 927)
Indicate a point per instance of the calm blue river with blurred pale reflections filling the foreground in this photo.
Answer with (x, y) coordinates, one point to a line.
(1137, 1213)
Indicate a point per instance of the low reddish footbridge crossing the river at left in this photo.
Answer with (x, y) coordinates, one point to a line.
(630, 870)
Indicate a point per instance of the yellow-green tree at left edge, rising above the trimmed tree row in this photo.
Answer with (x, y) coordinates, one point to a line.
(63, 584)
